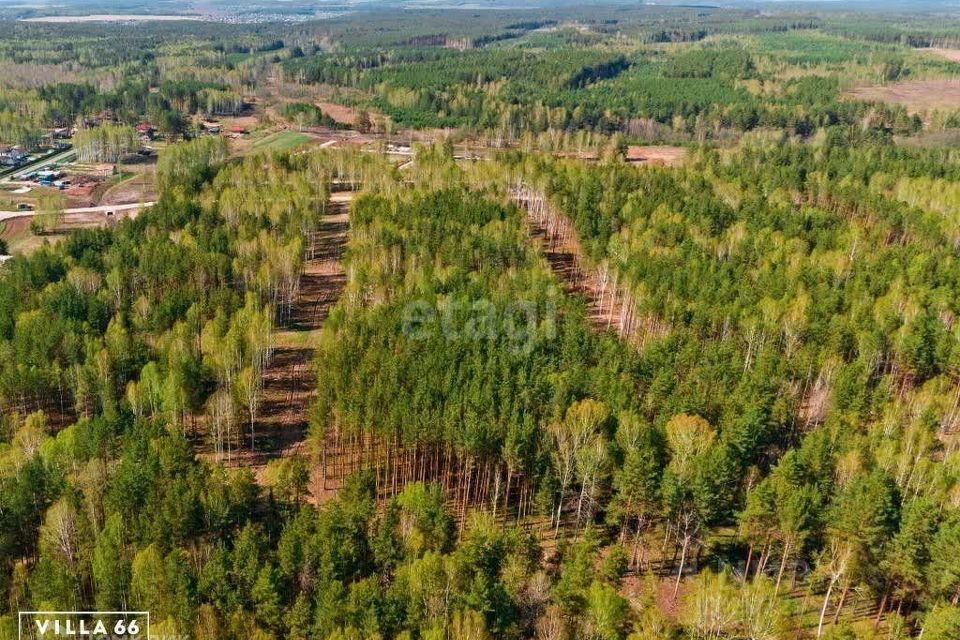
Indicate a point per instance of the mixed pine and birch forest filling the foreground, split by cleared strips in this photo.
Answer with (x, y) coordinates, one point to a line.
(795, 407)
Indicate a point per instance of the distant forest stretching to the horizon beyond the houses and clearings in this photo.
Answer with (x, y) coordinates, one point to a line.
(651, 73)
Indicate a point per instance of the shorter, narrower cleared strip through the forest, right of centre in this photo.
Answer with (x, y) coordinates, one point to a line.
(611, 305)
